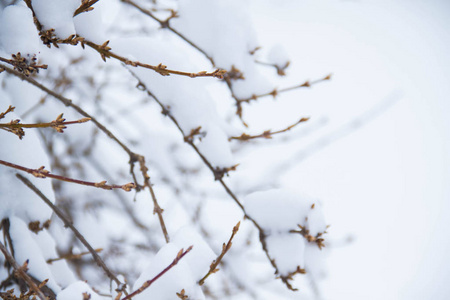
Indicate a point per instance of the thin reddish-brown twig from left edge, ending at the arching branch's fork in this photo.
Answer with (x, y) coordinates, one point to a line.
(42, 173)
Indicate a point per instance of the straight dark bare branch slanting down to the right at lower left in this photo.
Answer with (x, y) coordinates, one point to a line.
(79, 236)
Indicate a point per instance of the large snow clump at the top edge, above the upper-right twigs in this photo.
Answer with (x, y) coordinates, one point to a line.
(226, 33)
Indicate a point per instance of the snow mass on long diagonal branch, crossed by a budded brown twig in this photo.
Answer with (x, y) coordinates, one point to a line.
(190, 104)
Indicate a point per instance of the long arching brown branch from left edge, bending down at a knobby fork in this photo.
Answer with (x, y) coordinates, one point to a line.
(134, 157)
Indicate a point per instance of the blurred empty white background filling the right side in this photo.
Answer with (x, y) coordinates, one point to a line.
(379, 156)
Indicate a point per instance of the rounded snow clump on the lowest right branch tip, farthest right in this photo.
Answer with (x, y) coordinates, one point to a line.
(278, 211)
